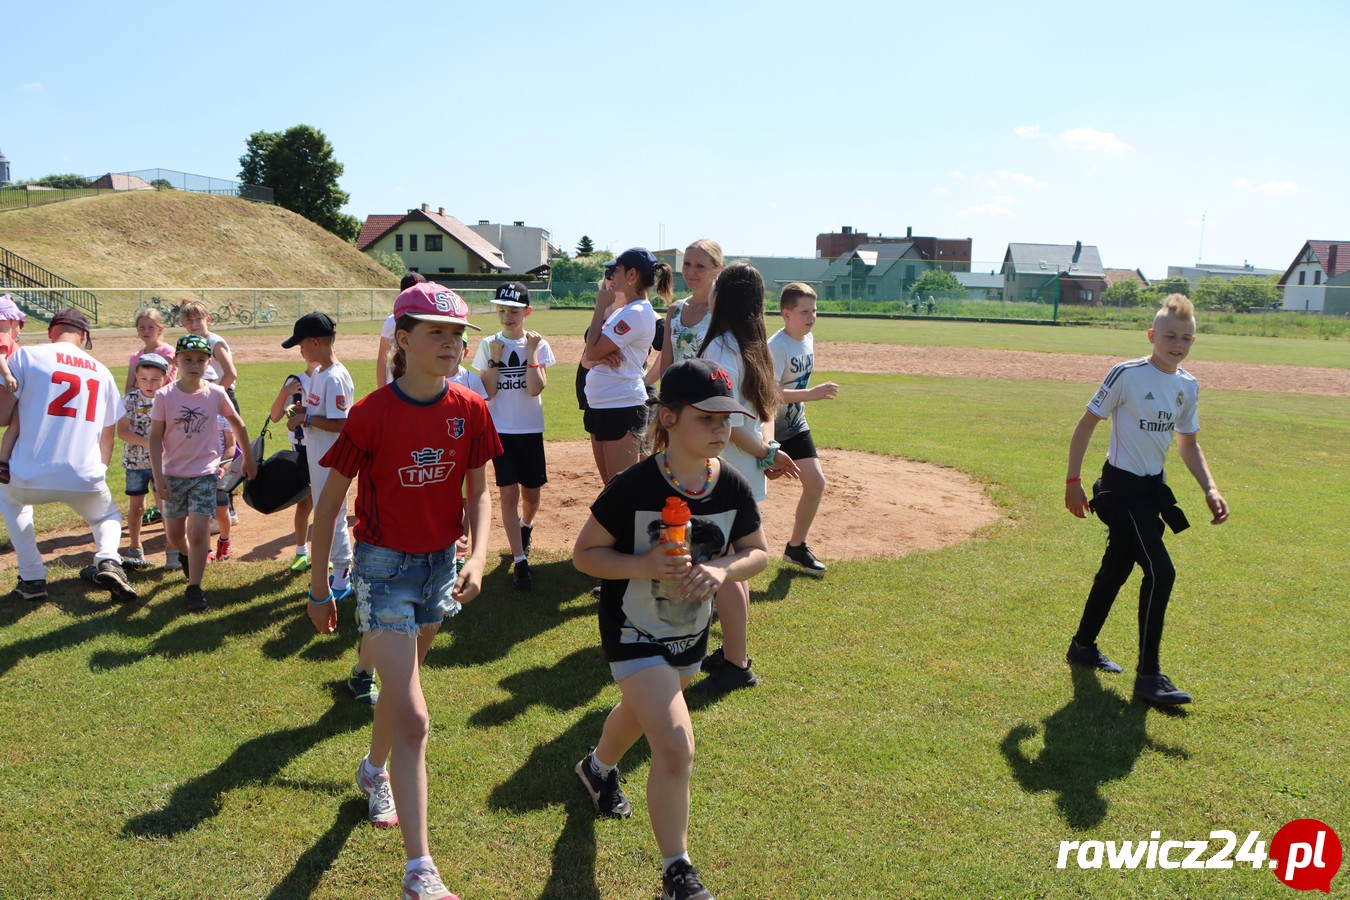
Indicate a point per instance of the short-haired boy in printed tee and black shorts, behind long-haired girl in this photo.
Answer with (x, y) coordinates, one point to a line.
(793, 349)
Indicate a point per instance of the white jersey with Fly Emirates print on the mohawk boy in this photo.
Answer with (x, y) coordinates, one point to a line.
(1145, 405)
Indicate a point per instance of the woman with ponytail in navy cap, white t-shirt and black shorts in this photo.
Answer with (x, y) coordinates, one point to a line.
(618, 343)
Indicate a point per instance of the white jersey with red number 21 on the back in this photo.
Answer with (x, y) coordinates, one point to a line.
(67, 399)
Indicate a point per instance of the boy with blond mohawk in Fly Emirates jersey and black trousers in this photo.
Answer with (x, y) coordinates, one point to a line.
(1147, 401)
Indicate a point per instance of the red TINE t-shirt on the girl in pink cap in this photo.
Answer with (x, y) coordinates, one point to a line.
(412, 459)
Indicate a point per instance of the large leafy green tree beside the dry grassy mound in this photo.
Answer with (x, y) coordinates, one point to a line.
(300, 168)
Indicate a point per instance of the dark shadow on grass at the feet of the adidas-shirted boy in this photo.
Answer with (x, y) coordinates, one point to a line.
(502, 617)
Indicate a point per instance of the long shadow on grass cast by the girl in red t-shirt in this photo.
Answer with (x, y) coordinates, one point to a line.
(259, 762)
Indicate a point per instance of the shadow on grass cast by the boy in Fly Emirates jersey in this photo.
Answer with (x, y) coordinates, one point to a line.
(1096, 739)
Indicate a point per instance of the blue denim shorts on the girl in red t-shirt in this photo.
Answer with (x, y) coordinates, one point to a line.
(400, 592)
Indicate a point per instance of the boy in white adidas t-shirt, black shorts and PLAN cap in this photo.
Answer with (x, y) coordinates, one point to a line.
(514, 364)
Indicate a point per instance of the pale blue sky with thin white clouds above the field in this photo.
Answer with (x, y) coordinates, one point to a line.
(758, 125)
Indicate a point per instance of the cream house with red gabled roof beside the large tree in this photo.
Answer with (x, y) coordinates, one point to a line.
(431, 244)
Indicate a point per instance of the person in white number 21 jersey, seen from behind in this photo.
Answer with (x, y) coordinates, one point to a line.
(68, 403)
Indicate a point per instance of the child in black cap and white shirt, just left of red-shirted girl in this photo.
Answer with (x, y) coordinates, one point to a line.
(330, 396)
